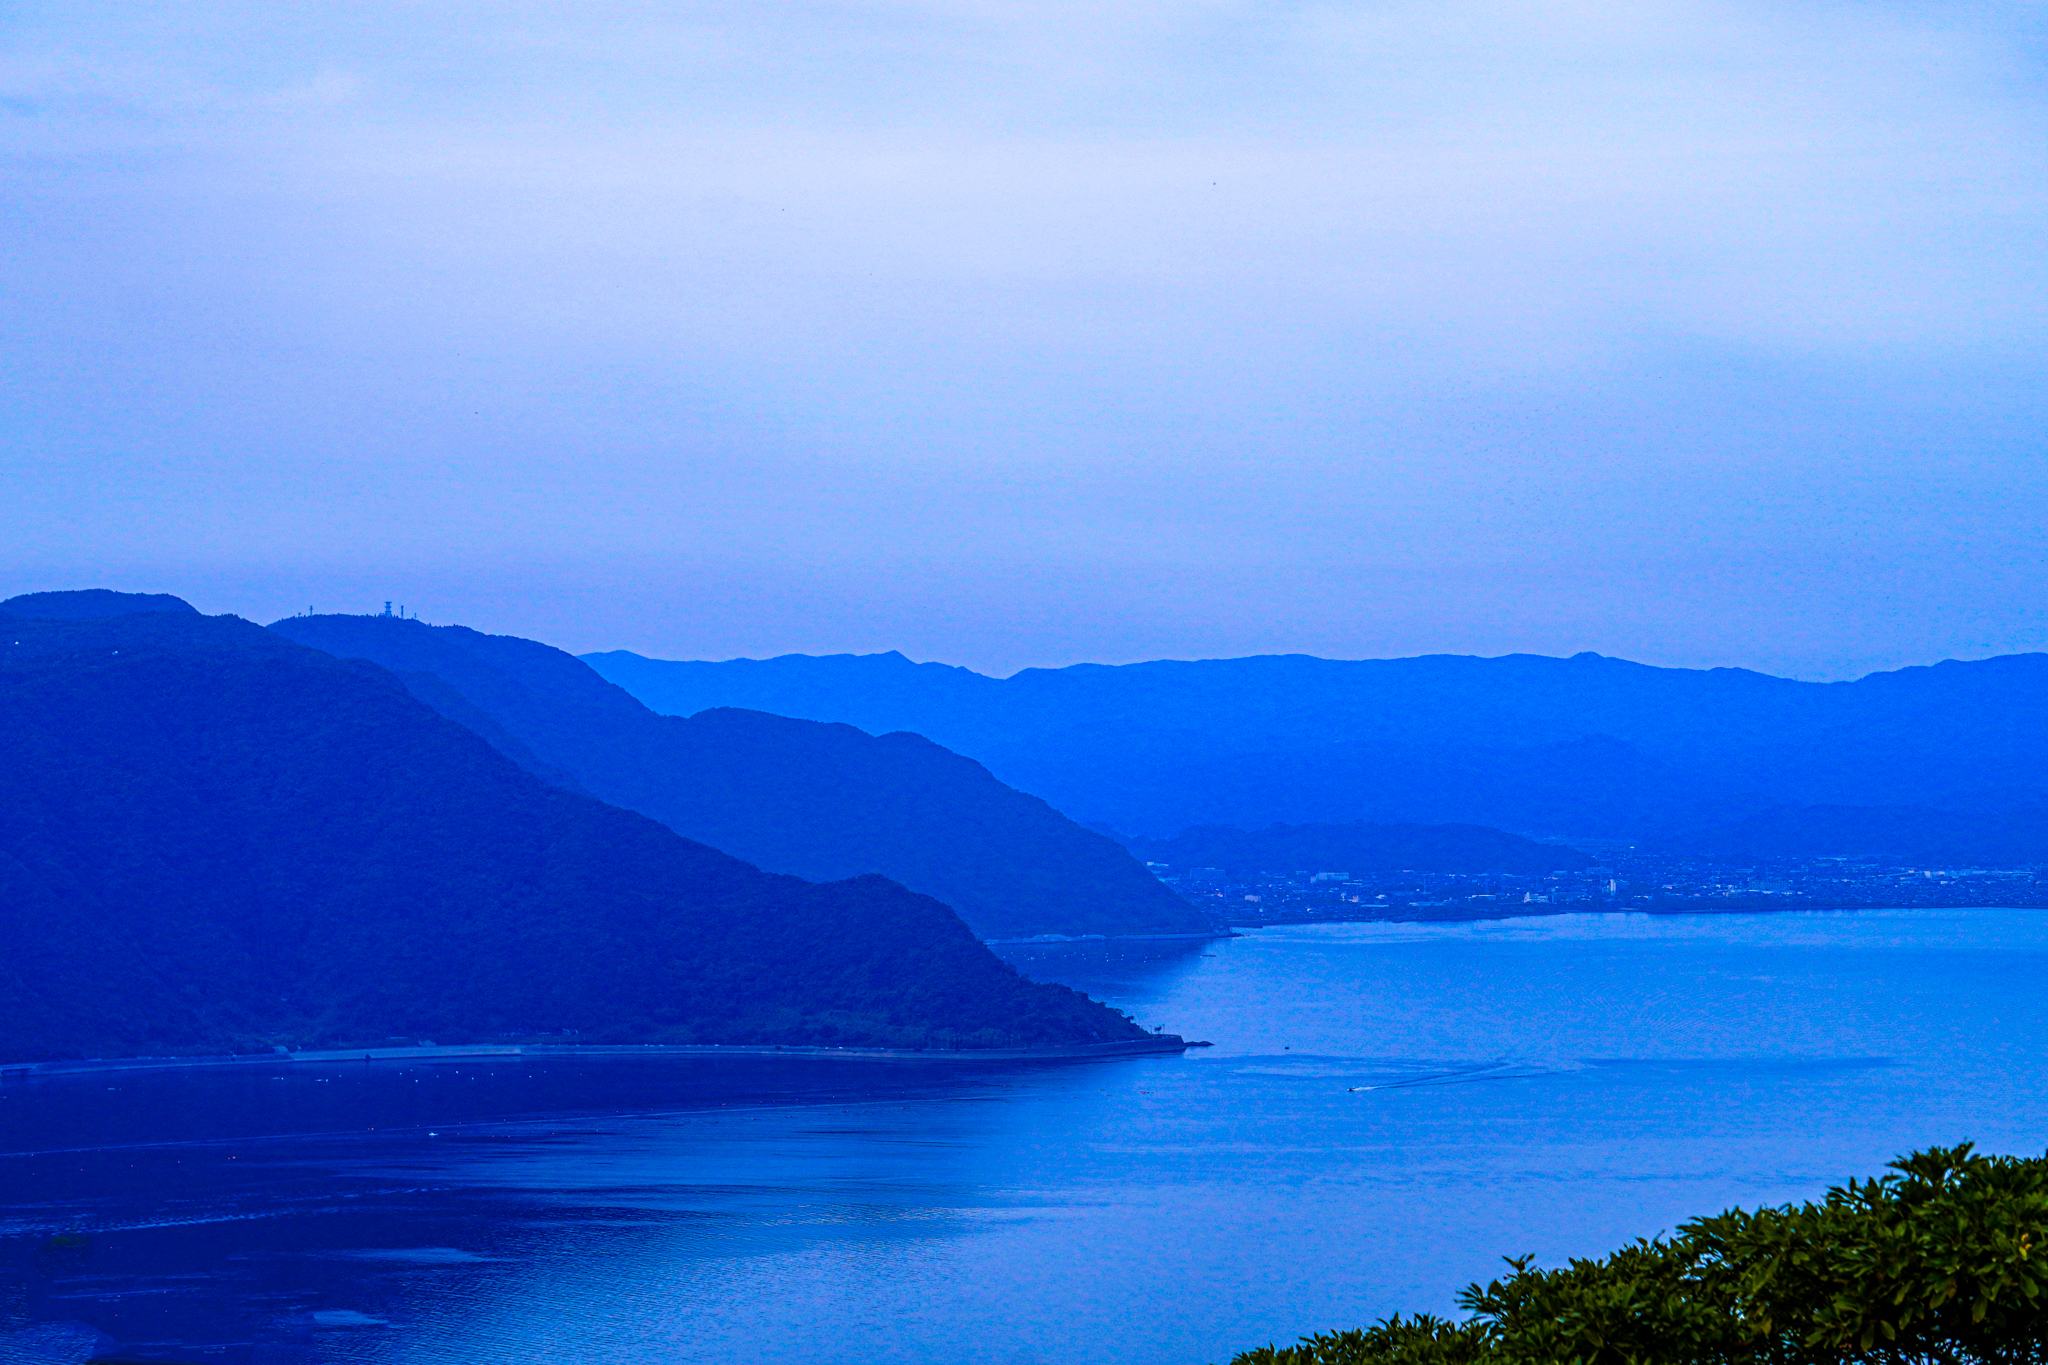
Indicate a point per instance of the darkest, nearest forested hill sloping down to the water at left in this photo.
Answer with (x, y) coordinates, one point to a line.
(216, 838)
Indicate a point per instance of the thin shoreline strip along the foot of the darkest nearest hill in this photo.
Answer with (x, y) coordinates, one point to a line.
(1162, 1045)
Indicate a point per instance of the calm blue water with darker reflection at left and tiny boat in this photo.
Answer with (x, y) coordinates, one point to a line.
(1385, 1112)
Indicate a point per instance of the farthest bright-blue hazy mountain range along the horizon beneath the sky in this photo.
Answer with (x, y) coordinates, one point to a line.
(1564, 748)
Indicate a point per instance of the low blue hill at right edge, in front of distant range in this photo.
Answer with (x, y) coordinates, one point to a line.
(1908, 834)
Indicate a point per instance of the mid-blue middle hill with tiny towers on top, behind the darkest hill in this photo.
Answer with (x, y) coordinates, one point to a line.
(818, 801)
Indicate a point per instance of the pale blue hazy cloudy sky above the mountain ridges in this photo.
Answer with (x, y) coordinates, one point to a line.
(1025, 335)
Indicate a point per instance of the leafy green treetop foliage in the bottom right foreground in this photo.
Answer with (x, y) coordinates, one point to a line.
(1943, 1262)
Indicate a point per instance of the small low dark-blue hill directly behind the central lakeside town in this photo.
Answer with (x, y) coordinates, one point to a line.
(1359, 848)
